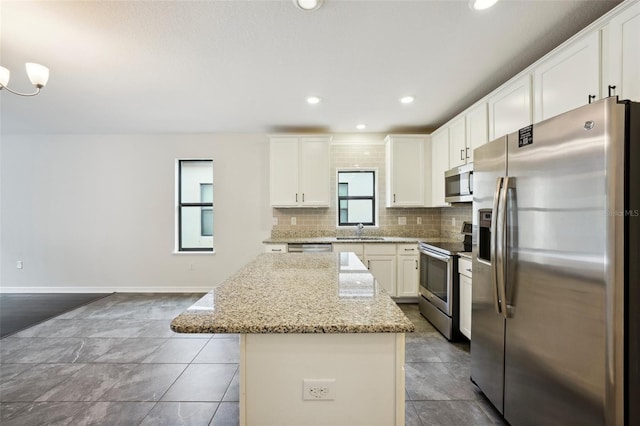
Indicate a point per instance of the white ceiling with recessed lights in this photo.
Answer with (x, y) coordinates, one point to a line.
(247, 65)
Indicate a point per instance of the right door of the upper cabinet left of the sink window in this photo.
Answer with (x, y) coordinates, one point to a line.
(314, 172)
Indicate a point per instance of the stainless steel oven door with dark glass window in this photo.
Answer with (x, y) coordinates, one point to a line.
(436, 280)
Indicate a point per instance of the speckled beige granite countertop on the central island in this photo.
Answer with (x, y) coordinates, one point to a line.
(296, 293)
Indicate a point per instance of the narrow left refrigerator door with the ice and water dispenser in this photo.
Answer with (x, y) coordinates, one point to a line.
(487, 345)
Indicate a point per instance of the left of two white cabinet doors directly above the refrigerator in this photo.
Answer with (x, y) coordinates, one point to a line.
(568, 78)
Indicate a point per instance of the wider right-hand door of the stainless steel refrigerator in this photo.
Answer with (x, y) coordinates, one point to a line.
(556, 278)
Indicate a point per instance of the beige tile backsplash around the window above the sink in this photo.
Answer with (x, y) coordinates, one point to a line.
(369, 153)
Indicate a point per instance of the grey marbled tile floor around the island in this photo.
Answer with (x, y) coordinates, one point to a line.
(116, 362)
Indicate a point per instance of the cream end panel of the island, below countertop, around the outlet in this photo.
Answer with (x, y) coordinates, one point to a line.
(368, 369)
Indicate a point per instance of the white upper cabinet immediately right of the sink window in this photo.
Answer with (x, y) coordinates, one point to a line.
(405, 170)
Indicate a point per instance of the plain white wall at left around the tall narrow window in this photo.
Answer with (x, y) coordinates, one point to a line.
(96, 212)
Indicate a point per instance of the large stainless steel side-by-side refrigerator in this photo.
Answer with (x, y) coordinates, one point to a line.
(556, 237)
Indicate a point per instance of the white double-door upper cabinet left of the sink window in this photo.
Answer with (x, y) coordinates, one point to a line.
(299, 171)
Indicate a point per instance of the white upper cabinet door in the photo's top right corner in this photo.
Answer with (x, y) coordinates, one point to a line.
(621, 54)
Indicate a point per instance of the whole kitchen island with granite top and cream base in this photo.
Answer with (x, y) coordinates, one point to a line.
(320, 341)
